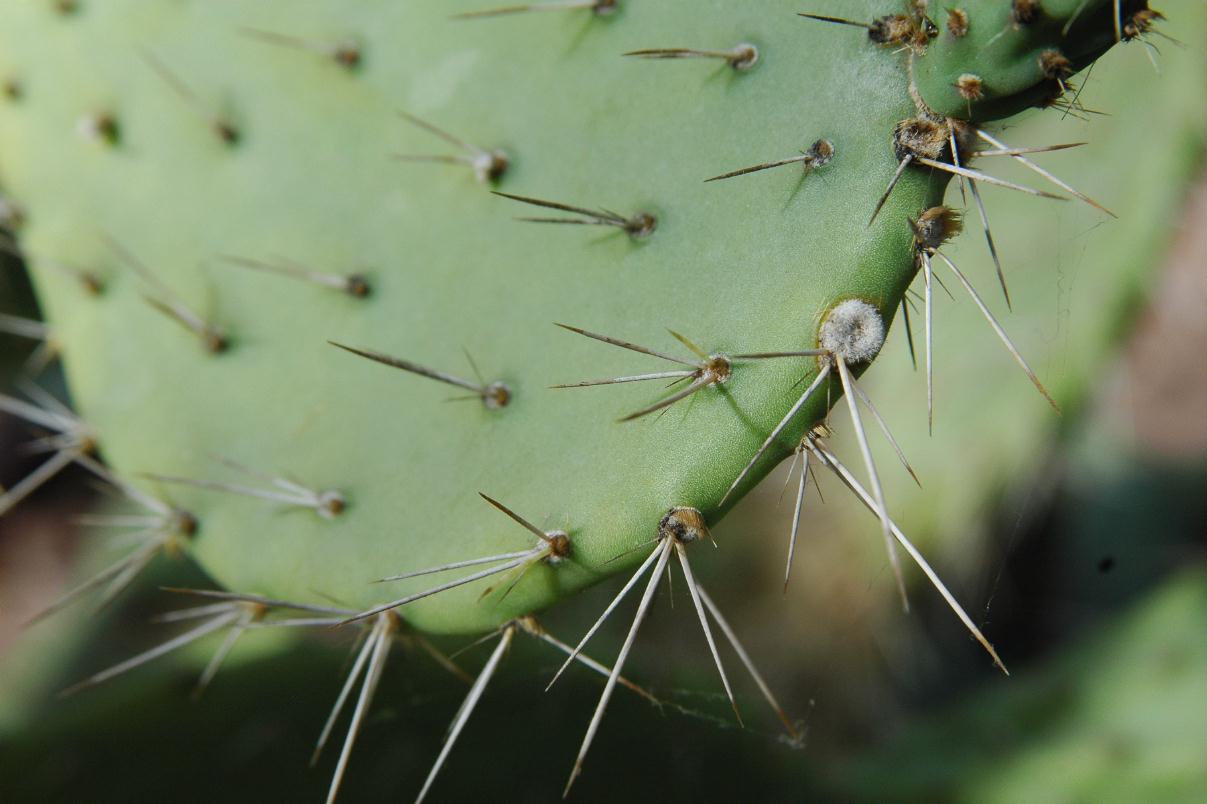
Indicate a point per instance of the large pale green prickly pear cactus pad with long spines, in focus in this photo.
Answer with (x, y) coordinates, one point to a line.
(304, 264)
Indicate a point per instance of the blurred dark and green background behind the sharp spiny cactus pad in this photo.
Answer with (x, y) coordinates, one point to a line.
(1078, 544)
